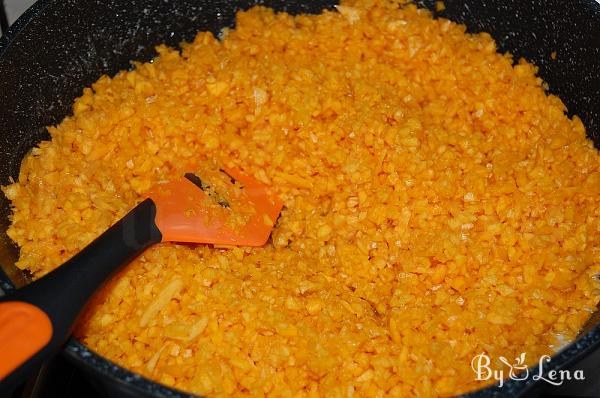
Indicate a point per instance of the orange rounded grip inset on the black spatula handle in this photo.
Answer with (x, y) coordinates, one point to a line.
(24, 330)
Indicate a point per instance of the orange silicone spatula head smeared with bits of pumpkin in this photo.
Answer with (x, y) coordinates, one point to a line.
(221, 206)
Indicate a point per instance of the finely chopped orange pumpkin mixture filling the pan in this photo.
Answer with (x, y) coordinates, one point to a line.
(438, 204)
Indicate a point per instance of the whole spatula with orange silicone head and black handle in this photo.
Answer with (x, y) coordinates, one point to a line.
(228, 208)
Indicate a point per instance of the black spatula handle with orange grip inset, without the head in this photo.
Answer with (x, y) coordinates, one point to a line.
(62, 294)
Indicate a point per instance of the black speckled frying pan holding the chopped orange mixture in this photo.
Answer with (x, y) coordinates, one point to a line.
(60, 46)
